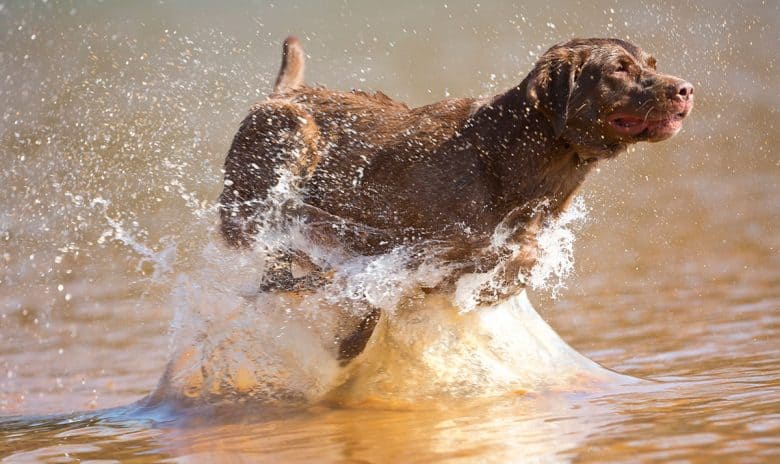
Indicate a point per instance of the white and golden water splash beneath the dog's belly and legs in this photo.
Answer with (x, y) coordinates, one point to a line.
(232, 342)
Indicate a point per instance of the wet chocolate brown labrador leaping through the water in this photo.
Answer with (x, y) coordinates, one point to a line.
(373, 174)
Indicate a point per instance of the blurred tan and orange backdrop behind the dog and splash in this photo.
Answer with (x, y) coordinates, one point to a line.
(115, 118)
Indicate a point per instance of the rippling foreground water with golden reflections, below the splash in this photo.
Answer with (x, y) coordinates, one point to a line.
(547, 427)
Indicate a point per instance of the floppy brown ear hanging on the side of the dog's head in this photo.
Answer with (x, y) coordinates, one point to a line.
(552, 81)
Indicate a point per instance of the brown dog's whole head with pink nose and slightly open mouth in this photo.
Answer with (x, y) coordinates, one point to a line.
(602, 94)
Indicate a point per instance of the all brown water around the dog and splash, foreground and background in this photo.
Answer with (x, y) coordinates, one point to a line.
(116, 117)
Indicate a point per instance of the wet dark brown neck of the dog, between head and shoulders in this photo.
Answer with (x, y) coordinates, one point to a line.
(517, 142)
